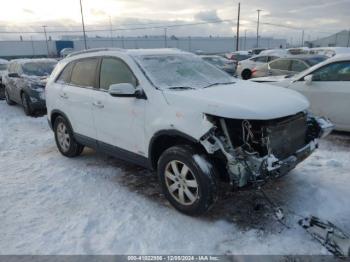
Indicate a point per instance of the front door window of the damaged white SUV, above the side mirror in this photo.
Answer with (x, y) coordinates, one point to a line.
(115, 71)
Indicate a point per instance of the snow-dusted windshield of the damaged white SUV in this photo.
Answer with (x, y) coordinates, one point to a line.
(183, 71)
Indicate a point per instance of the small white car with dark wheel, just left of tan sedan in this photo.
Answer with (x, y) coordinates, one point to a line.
(245, 67)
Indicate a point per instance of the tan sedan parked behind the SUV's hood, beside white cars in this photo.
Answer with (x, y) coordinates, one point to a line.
(288, 65)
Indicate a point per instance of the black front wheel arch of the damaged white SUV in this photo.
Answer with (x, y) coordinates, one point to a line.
(164, 139)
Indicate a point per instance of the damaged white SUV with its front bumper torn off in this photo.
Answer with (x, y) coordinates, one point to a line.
(170, 111)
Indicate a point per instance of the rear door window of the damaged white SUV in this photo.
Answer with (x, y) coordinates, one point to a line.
(84, 72)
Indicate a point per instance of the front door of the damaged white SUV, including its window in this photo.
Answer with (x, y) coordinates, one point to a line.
(119, 121)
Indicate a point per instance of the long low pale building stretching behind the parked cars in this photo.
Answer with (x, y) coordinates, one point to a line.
(210, 45)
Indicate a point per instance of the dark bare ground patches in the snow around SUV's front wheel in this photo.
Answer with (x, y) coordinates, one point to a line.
(246, 209)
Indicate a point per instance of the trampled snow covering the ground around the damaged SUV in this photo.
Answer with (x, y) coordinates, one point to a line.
(95, 204)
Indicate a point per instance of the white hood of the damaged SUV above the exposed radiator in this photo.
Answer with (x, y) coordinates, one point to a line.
(242, 100)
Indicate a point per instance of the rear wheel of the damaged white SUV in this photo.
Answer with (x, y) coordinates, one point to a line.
(65, 140)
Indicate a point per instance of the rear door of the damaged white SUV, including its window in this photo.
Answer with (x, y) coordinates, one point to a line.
(78, 96)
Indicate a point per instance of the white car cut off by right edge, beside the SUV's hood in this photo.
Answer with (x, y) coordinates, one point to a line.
(326, 85)
